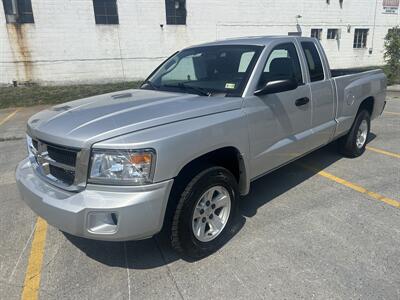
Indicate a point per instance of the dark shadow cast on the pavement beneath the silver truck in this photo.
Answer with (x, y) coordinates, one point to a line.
(155, 252)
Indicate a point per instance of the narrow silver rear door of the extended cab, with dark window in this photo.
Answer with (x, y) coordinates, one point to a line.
(322, 94)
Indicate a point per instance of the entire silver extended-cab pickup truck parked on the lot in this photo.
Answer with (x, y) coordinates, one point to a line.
(176, 155)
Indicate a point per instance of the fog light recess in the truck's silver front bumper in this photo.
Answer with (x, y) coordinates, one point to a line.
(102, 222)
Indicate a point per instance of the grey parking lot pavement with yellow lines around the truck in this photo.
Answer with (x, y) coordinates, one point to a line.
(322, 227)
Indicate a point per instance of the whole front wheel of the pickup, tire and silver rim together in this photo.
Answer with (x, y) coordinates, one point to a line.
(205, 213)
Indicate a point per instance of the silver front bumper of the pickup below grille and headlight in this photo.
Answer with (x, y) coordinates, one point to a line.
(138, 212)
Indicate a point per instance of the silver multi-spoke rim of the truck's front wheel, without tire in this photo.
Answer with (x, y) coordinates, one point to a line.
(211, 213)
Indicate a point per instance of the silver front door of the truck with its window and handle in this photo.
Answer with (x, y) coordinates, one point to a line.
(280, 123)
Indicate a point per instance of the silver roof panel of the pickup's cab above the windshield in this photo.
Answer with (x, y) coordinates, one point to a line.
(251, 40)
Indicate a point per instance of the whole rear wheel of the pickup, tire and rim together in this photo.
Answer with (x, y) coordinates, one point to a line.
(353, 144)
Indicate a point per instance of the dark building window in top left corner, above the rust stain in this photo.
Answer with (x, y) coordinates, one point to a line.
(18, 11)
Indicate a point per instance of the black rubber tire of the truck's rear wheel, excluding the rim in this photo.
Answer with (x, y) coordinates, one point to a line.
(348, 143)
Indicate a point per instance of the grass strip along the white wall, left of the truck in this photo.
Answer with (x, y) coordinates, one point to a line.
(36, 95)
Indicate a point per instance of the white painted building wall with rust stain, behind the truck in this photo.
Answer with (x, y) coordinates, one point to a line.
(65, 45)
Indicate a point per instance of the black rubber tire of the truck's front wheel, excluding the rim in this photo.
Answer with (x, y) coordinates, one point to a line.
(183, 239)
